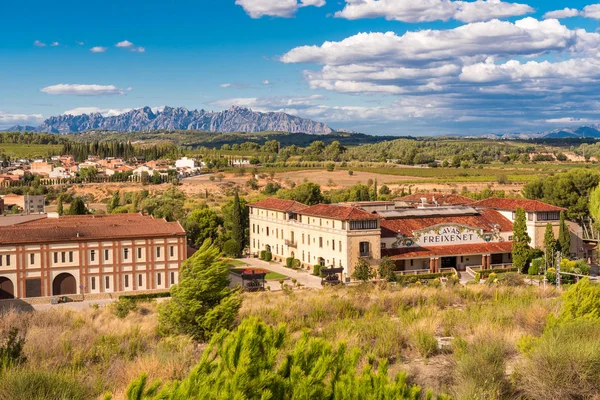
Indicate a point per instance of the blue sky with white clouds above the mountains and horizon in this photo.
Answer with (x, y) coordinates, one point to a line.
(420, 67)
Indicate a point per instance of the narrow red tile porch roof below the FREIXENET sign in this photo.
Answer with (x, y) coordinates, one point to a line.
(441, 251)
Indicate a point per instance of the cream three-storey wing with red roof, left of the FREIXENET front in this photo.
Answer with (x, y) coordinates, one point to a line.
(329, 235)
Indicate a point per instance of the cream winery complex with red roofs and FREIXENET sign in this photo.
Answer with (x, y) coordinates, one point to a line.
(419, 232)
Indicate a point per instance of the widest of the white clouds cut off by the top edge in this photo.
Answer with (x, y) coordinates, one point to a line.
(432, 10)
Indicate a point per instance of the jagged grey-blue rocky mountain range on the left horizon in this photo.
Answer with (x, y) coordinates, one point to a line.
(235, 119)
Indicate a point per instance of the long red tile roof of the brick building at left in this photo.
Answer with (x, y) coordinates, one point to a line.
(89, 227)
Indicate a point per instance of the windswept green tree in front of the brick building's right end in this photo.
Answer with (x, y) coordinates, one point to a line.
(202, 303)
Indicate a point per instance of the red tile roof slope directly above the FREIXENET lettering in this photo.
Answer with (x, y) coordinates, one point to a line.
(486, 220)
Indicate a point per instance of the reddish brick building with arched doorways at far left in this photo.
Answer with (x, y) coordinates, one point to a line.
(89, 254)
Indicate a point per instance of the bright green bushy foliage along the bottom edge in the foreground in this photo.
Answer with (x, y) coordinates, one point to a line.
(254, 362)
